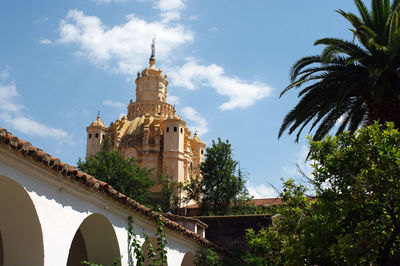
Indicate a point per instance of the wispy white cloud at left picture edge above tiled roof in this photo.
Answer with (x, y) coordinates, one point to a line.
(11, 114)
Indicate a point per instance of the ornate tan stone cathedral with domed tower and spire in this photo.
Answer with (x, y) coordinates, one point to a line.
(152, 131)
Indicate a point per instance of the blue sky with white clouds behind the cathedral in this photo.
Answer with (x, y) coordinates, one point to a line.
(226, 61)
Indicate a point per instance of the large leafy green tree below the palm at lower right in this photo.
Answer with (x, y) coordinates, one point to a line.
(354, 218)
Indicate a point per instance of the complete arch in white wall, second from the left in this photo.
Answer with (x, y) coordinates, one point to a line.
(94, 241)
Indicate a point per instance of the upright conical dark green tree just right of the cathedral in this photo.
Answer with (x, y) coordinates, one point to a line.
(221, 188)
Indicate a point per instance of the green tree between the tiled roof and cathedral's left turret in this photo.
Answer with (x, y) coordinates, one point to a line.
(124, 175)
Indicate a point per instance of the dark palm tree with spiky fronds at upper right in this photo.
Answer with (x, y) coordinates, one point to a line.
(350, 84)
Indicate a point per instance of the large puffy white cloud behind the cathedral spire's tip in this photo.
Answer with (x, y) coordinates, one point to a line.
(121, 48)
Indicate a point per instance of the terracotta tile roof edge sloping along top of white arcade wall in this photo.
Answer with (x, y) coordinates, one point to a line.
(83, 179)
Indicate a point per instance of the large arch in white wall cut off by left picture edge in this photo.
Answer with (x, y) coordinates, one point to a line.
(21, 232)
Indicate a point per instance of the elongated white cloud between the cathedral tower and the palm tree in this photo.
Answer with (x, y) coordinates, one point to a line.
(241, 93)
